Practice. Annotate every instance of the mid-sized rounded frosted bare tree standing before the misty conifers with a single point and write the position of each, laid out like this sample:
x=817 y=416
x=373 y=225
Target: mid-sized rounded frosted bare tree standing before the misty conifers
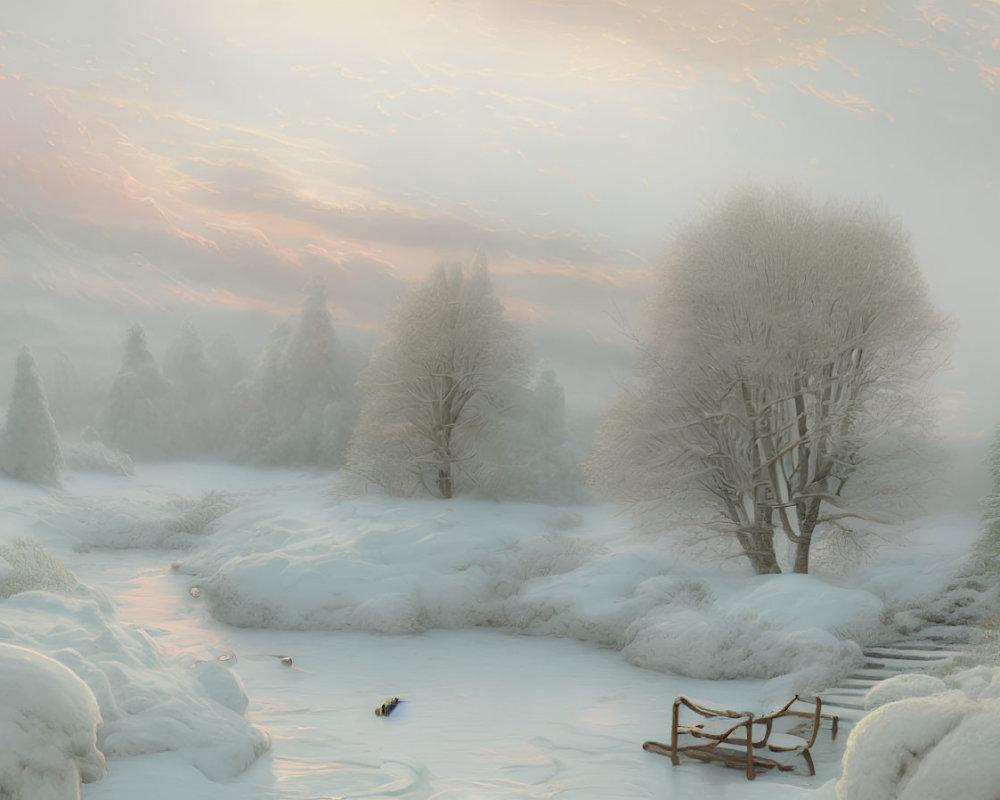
x=438 y=388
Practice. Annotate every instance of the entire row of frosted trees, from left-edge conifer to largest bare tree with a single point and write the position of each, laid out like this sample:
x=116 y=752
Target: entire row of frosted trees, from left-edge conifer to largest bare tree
x=778 y=391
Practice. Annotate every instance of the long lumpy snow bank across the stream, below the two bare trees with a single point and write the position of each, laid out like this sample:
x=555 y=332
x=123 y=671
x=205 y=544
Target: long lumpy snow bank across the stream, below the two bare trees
x=314 y=561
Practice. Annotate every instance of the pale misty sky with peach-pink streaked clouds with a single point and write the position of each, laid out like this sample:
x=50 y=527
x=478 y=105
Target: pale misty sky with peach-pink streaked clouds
x=170 y=161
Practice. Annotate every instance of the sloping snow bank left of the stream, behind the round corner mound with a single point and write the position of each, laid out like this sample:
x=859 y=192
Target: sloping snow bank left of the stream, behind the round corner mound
x=149 y=702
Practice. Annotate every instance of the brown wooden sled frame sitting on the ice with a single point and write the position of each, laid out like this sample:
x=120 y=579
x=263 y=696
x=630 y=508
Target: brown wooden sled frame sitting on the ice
x=740 y=739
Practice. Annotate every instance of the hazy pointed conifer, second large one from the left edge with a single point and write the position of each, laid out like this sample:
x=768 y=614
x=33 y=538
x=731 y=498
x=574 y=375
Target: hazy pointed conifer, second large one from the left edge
x=139 y=417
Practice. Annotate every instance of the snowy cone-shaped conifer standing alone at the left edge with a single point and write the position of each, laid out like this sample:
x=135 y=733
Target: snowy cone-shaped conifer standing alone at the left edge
x=29 y=446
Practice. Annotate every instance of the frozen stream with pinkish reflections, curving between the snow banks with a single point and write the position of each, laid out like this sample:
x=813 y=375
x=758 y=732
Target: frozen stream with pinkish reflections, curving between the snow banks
x=486 y=714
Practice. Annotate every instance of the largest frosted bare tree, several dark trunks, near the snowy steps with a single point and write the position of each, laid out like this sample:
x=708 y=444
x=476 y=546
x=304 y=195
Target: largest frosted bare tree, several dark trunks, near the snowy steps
x=784 y=354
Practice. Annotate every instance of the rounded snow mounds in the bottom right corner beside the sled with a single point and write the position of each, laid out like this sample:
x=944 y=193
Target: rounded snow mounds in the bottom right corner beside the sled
x=926 y=747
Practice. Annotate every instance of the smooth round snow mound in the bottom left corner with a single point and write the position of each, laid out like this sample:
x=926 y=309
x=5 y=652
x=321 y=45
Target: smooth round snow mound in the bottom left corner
x=48 y=726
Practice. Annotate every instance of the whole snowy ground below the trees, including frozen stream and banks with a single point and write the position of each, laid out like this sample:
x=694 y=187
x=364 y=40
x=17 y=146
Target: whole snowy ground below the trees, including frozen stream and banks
x=373 y=597
